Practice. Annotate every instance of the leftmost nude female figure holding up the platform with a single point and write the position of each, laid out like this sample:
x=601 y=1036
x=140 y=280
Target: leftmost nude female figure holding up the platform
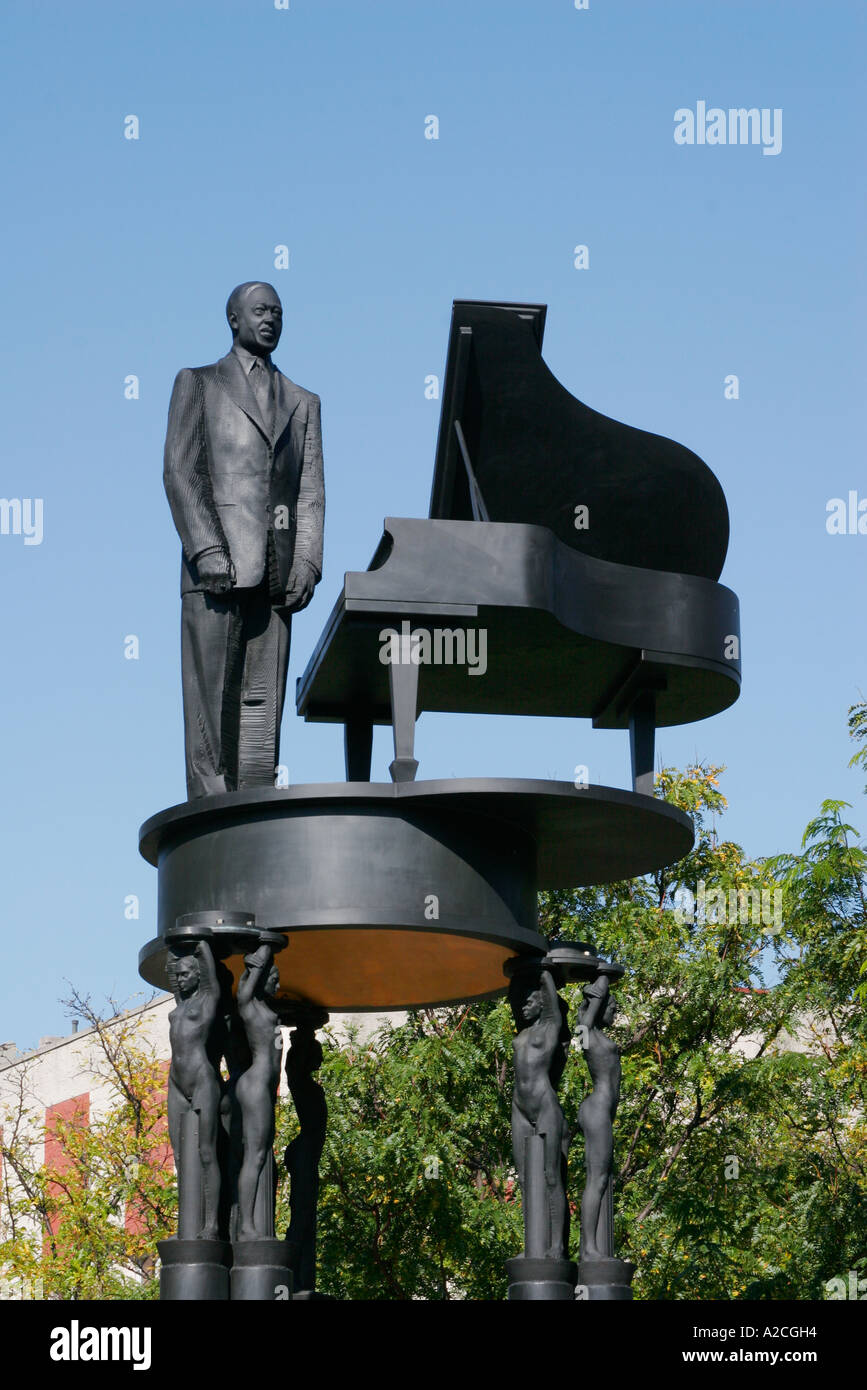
x=194 y=1081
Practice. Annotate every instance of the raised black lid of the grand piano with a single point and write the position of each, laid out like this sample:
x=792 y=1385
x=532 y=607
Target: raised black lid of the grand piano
x=538 y=454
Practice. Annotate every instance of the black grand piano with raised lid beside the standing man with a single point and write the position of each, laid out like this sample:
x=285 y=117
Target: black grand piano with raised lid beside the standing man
x=586 y=551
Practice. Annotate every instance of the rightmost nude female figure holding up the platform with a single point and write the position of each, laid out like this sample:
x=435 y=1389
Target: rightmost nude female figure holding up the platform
x=597 y=1117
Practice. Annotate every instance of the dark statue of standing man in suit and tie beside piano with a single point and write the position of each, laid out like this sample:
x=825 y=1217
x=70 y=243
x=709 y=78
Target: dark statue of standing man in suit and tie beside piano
x=244 y=477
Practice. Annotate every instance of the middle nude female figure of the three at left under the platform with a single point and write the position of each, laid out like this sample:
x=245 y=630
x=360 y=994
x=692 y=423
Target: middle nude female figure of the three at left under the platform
x=256 y=1089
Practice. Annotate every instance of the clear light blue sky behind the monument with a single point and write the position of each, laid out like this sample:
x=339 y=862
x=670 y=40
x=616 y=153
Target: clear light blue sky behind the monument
x=306 y=127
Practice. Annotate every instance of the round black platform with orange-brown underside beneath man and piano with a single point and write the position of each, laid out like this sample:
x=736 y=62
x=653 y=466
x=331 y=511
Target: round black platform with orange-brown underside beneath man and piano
x=399 y=896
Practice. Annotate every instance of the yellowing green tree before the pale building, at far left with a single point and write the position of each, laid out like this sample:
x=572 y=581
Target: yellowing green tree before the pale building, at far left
x=87 y=1225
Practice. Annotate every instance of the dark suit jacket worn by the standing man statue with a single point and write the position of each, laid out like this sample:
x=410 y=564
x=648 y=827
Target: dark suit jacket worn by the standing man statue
x=231 y=483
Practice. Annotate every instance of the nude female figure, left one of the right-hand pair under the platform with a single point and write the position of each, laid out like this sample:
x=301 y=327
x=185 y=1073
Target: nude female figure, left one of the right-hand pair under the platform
x=540 y=1052
